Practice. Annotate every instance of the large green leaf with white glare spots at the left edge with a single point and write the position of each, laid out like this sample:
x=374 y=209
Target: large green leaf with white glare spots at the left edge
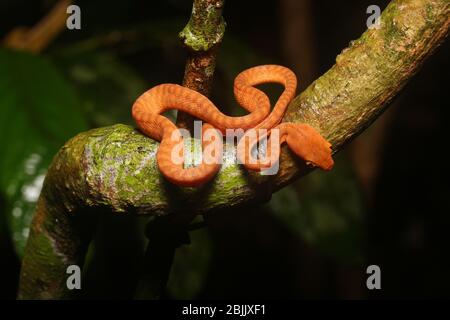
x=39 y=111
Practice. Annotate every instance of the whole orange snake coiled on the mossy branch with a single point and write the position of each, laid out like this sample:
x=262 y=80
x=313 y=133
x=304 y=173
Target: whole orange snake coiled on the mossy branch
x=302 y=139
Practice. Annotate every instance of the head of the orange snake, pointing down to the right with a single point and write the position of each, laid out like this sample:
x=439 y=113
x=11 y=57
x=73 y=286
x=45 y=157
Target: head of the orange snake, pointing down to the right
x=309 y=145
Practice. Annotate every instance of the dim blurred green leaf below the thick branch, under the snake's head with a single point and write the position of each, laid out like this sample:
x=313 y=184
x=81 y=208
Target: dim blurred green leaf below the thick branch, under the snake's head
x=326 y=210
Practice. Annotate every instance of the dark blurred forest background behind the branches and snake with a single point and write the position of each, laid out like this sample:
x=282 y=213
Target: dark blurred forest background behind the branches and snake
x=385 y=203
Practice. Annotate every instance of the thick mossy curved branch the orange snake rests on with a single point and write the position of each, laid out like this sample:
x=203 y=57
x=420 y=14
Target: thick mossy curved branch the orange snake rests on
x=114 y=168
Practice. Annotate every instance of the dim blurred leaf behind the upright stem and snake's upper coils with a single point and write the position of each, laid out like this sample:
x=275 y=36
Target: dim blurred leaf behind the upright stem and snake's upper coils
x=146 y=55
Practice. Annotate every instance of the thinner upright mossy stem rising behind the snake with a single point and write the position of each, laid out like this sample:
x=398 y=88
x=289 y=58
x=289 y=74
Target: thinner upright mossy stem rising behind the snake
x=201 y=36
